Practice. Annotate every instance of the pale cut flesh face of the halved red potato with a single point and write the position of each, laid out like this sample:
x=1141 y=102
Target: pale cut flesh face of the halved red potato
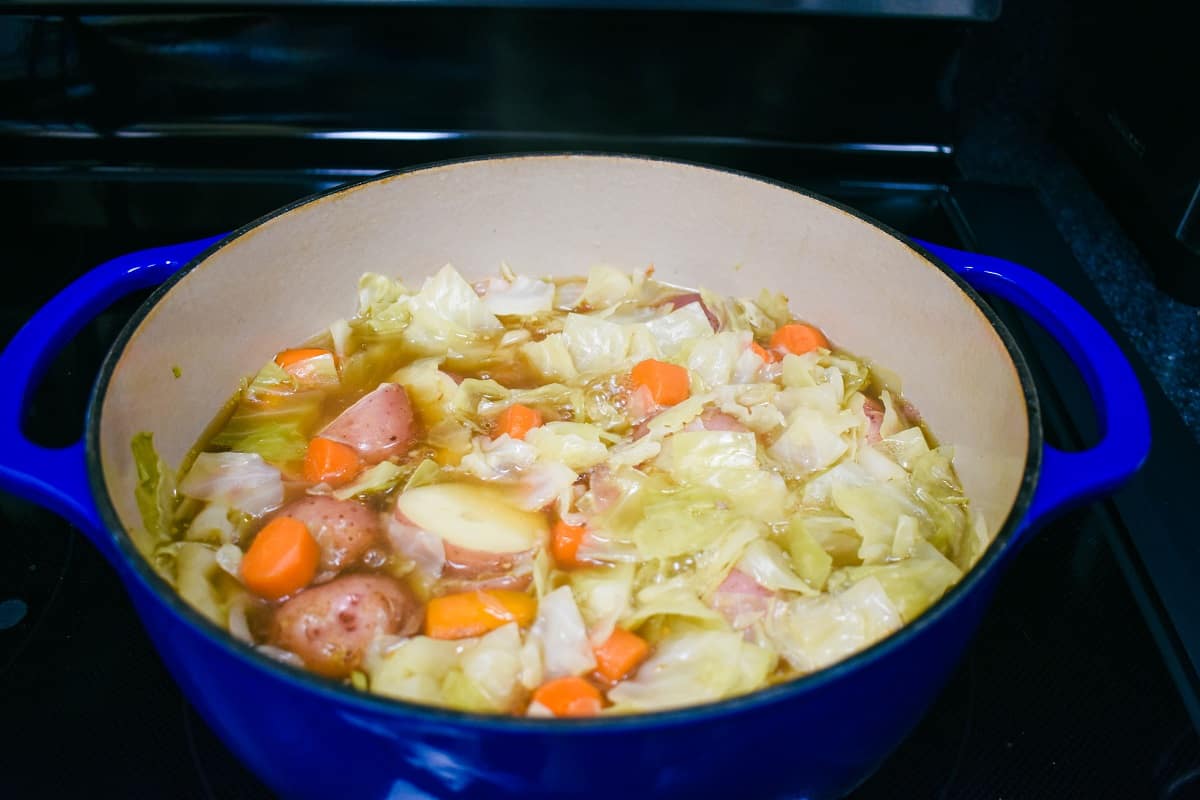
x=473 y=519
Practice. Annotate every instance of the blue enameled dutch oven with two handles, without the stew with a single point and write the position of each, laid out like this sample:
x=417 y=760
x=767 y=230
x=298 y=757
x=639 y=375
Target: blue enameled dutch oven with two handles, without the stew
x=225 y=303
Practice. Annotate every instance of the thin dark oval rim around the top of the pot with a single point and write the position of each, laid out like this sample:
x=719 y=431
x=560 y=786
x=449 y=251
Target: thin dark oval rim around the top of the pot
x=302 y=679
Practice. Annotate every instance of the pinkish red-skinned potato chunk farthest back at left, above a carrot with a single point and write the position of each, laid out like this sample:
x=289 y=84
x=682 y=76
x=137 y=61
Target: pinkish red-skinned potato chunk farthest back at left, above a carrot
x=380 y=426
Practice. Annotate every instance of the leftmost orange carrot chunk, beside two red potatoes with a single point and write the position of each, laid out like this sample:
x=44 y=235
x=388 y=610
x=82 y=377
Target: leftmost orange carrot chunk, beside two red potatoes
x=281 y=561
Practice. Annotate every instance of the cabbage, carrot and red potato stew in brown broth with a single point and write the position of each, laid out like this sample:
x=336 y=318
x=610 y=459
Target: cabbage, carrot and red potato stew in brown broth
x=565 y=498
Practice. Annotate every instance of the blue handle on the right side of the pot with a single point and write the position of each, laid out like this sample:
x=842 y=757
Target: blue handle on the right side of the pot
x=1070 y=479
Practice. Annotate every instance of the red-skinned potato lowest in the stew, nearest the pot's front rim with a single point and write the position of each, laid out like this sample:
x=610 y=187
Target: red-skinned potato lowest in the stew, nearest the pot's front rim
x=331 y=627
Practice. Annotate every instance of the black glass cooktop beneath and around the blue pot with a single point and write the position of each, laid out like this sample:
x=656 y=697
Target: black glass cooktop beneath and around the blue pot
x=1079 y=683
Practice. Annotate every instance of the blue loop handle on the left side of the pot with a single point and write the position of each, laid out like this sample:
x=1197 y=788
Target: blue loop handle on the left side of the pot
x=58 y=478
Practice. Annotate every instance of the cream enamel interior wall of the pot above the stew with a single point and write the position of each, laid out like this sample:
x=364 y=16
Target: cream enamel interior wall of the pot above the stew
x=560 y=215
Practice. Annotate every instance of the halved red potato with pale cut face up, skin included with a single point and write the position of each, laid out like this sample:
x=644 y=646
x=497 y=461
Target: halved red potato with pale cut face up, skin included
x=483 y=536
